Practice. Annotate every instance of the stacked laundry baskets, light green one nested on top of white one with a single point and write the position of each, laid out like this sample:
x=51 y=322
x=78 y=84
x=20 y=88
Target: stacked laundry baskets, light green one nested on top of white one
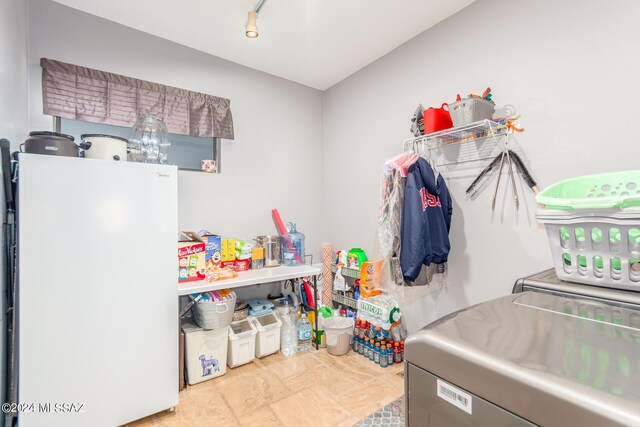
x=593 y=226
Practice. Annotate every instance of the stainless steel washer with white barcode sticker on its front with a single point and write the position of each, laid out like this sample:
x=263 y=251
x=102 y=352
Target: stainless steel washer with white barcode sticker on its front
x=551 y=354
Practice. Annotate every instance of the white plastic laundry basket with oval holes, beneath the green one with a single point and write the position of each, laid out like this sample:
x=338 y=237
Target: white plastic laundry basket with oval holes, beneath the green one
x=598 y=247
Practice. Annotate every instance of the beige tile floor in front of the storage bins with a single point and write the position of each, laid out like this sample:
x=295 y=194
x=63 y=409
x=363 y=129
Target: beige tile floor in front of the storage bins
x=313 y=388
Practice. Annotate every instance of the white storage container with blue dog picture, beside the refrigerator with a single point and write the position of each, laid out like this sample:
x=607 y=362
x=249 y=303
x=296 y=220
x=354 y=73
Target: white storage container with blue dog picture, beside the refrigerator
x=205 y=352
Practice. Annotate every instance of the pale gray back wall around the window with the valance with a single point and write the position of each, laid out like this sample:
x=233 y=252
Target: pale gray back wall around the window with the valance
x=276 y=158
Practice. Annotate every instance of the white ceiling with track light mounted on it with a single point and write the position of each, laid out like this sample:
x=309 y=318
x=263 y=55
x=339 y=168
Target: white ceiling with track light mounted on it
x=313 y=42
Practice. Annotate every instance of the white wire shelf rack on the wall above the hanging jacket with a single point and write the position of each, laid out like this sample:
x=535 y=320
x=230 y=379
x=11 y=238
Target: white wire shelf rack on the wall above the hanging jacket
x=474 y=142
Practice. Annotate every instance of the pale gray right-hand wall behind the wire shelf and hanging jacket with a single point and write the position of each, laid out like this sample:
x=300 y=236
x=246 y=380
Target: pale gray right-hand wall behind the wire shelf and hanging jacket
x=571 y=69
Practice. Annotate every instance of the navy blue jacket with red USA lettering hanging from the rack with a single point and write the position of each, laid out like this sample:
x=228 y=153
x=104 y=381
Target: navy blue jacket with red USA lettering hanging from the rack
x=426 y=220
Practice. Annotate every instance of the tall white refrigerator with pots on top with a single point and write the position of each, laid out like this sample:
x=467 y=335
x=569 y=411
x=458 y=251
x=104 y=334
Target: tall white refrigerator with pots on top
x=97 y=294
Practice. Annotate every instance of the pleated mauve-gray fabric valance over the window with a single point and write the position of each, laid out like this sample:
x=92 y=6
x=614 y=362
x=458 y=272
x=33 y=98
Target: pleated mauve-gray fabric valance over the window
x=82 y=93
